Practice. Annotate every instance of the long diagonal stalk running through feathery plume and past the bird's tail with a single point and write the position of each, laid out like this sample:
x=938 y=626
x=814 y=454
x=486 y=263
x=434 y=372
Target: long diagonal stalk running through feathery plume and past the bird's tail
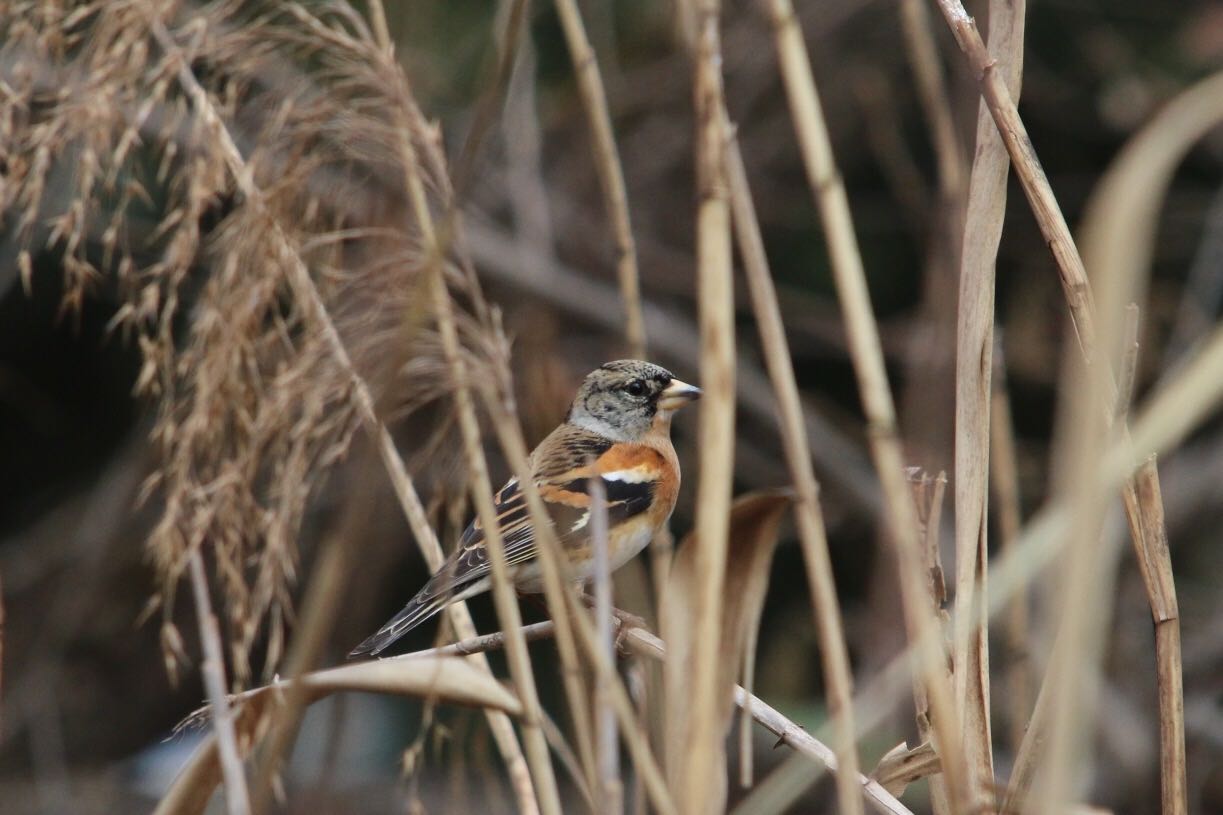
x=311 y=300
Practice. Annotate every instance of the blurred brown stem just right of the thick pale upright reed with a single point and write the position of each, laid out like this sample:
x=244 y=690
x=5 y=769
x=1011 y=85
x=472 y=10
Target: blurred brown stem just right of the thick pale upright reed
x=1005 y=482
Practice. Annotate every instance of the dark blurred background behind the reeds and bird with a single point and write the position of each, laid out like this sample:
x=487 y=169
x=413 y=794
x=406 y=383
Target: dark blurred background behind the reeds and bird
x=87 y=703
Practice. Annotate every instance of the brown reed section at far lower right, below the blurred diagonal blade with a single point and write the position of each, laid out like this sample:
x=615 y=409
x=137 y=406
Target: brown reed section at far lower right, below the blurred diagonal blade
x=1155 y=565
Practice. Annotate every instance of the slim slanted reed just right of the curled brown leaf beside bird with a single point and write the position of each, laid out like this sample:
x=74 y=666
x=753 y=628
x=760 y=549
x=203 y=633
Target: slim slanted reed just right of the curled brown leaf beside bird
x=809 y=518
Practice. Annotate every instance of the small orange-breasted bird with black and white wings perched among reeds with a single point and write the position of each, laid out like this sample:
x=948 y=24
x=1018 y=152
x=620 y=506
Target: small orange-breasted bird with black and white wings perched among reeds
x=619 y=430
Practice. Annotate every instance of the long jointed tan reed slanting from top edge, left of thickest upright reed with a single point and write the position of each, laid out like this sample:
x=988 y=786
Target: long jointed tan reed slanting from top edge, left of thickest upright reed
x=868 y=357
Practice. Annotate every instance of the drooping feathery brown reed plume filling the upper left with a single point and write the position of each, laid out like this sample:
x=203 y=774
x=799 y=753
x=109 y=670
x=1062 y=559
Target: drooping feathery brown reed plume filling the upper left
x=253 y=407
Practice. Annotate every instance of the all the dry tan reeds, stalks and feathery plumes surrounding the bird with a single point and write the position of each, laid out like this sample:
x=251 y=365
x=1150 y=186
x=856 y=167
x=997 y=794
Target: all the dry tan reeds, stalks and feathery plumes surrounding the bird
x=275 y=215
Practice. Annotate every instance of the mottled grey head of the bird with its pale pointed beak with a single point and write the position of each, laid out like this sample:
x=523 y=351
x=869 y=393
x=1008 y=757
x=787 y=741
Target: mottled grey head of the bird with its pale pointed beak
x=623 y=400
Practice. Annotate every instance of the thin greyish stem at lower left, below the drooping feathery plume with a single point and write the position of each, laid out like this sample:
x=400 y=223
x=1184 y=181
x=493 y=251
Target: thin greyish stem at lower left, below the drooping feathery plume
x=237 y=797
